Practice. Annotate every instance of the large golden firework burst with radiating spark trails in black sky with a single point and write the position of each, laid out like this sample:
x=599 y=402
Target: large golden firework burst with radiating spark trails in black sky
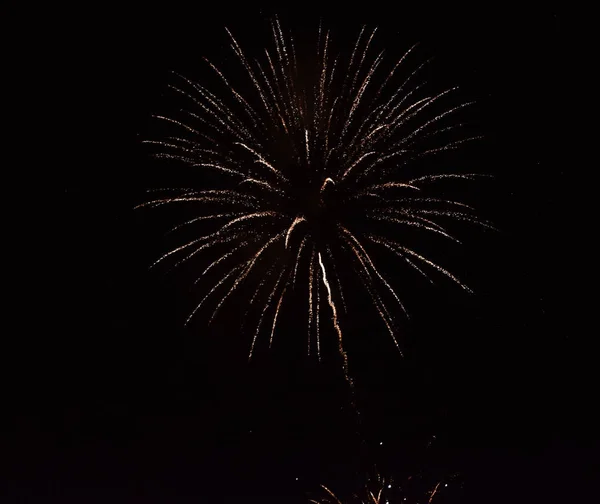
x=321 y=172
